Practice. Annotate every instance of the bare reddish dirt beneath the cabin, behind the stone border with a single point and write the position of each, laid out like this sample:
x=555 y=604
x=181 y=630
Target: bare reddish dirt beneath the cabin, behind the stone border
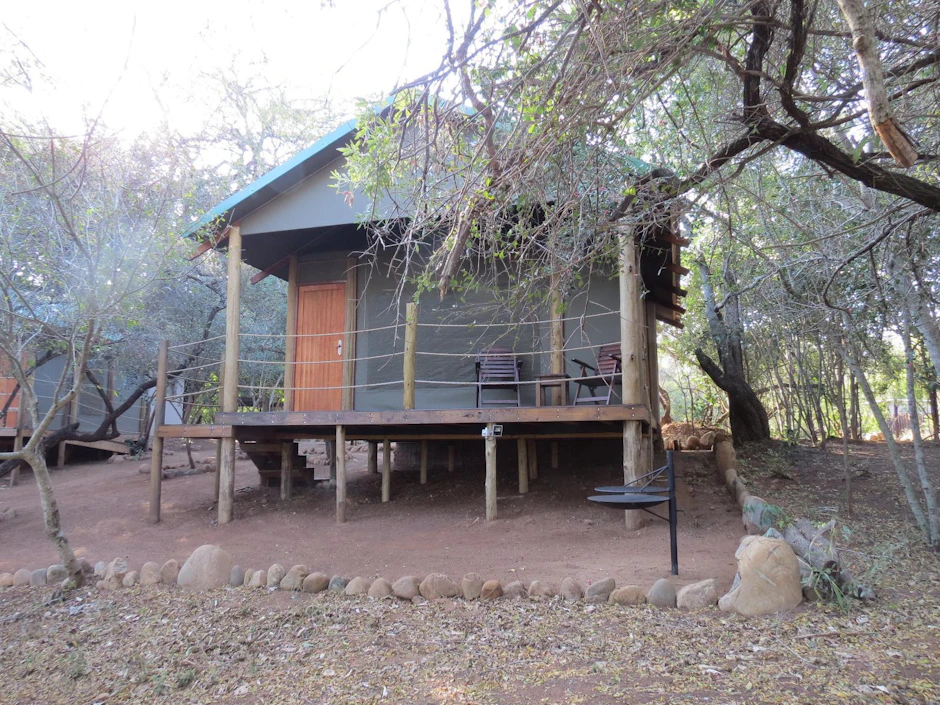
x=548 y=534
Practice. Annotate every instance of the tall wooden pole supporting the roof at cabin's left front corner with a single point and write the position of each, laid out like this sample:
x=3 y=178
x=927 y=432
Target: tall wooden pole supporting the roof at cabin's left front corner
x=230 y=390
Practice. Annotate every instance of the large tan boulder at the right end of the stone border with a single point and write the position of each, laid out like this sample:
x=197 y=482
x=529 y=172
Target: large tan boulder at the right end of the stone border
x=770 y=578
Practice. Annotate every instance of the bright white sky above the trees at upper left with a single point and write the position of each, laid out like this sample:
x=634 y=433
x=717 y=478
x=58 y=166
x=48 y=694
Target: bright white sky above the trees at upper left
x=137 y=63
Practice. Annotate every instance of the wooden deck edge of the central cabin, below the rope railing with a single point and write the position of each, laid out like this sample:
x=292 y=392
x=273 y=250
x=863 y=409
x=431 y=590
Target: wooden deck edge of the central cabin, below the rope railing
x=420 y=424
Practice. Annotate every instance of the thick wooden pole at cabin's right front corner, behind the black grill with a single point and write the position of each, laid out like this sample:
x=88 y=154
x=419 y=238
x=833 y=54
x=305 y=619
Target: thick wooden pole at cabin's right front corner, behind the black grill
x=631 y=382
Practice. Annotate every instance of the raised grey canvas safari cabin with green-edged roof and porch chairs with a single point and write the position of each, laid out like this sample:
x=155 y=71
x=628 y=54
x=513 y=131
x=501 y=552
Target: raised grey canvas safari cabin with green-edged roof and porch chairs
x=363 y=362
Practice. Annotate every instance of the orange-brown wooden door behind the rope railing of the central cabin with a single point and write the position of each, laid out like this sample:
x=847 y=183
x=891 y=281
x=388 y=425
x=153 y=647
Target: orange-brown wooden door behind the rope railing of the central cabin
x=321 y=312
